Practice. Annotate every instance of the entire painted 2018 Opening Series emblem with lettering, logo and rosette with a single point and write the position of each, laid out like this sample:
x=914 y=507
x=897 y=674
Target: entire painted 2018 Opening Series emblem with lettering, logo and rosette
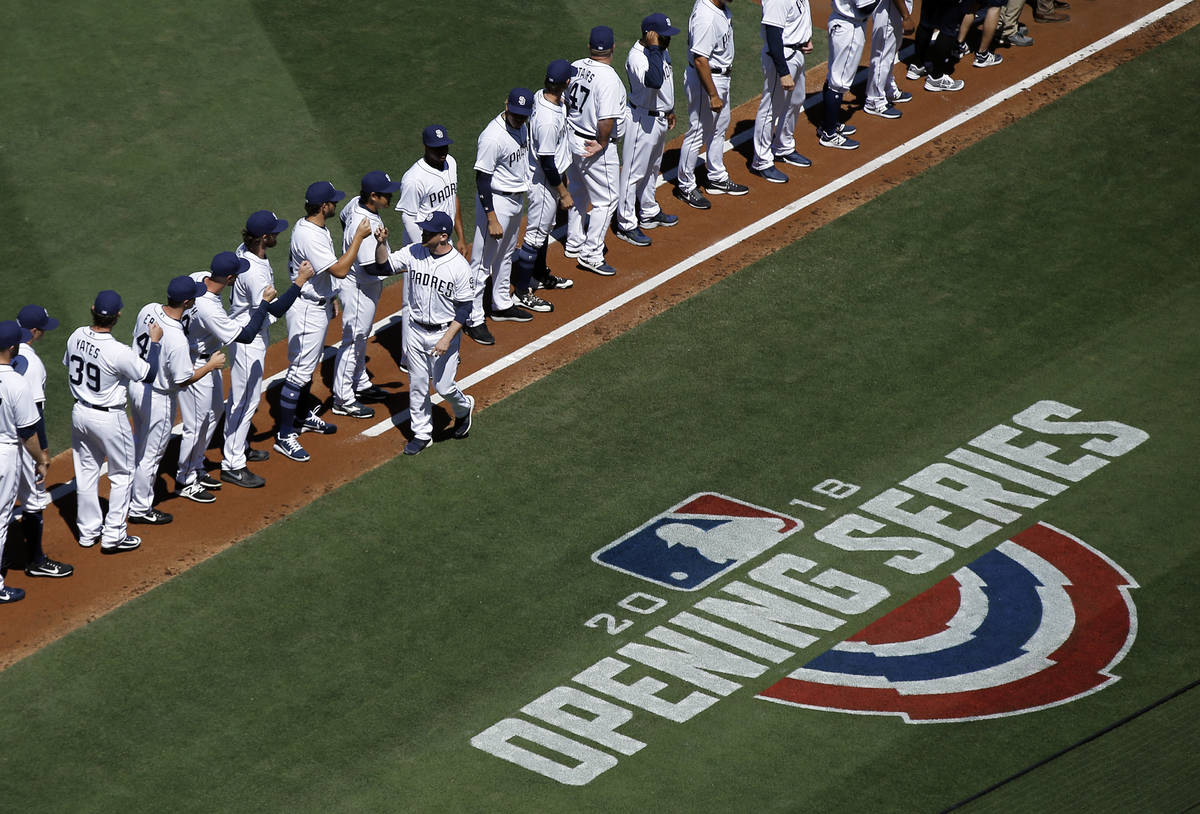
x=1001 y=636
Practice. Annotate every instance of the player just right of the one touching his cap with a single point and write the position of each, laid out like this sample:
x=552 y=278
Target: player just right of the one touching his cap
x=707 y=82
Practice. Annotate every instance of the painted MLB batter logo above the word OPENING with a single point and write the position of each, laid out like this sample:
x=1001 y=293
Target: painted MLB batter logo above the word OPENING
x=694 y=543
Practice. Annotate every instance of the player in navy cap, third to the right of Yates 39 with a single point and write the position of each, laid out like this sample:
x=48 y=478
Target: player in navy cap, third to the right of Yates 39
x=247 y=372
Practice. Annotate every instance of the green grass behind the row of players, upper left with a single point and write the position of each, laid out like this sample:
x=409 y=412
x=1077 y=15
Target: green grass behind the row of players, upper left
x=148 y=134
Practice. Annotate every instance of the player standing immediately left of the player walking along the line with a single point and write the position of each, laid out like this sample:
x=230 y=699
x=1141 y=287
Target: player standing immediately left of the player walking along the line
x=359 y=294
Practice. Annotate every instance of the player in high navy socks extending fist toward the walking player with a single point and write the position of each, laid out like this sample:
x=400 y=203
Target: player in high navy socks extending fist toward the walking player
x=311 y=250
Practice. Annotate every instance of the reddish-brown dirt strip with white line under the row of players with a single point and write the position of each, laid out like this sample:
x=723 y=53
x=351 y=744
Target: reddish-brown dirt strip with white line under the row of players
x=705 y=248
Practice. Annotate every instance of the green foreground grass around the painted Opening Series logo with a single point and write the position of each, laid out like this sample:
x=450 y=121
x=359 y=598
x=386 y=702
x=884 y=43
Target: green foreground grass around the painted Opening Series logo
x=345 y=659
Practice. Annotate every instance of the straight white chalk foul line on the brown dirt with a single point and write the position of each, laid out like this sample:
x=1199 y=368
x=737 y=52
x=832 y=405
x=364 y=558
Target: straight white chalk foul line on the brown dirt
x=794 y=208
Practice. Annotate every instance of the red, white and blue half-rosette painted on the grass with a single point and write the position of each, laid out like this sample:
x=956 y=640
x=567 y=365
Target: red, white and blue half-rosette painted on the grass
x=1040 y=621
